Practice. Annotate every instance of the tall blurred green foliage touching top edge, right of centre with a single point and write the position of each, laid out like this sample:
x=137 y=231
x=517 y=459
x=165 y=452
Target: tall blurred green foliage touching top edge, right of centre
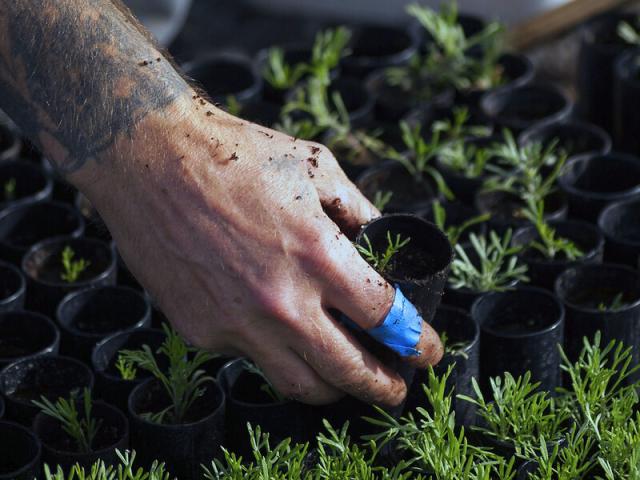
x=447 y=61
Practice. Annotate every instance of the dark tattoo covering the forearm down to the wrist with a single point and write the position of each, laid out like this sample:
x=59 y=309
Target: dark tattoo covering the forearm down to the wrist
x=76 y=74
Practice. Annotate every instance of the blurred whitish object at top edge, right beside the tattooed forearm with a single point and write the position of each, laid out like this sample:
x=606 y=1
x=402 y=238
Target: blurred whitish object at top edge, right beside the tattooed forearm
x=164 y=18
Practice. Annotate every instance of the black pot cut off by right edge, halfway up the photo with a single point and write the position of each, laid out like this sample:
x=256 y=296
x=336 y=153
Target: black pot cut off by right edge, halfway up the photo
x=620 y=223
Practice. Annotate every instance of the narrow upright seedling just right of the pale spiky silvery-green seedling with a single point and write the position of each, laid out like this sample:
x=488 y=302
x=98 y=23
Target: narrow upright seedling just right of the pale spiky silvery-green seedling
x=549 y=244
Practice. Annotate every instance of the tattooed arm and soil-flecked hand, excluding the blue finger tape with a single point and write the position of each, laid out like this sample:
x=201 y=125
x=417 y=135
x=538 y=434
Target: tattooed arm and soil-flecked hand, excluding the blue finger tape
x=221 y=220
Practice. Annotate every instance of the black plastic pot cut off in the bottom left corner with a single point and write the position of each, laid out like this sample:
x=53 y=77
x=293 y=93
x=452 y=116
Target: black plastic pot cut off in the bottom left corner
x=21 y=451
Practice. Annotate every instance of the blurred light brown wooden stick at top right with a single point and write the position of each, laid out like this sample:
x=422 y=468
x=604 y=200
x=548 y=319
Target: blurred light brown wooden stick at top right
x=553 y=22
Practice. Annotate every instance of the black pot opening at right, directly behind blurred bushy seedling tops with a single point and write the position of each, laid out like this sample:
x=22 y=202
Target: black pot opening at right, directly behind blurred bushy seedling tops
x=573 y=137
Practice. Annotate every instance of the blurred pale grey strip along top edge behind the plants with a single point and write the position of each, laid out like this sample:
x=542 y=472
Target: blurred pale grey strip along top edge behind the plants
x=388 y=11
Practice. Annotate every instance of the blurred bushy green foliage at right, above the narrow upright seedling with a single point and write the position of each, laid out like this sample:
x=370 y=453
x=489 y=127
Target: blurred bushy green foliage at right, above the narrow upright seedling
x=519 y=170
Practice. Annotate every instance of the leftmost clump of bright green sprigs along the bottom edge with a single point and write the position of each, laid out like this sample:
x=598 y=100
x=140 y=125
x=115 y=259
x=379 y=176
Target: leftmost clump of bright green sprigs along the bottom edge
x=125 y=470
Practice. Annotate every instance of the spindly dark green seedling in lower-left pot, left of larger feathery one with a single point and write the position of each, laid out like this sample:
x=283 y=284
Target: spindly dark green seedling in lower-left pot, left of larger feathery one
x=81 y=427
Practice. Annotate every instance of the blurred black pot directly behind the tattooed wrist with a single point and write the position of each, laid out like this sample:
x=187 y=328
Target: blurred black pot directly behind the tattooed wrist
x=225 y=74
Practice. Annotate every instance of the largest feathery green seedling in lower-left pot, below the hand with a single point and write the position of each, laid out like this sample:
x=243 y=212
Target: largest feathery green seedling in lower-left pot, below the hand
x=184 y=381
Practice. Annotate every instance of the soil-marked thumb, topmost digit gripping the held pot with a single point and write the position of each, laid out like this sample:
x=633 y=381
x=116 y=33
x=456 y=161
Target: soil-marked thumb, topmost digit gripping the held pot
x=340 y=198
